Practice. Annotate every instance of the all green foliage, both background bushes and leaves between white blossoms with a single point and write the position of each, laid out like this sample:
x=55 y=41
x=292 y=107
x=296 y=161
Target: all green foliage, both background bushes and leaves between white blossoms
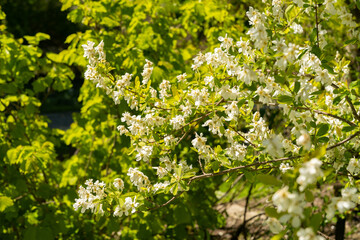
x=40 y=178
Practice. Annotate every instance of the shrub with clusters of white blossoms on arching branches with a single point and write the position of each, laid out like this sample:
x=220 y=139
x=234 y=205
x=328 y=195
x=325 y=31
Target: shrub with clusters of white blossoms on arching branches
x=216 y=107
